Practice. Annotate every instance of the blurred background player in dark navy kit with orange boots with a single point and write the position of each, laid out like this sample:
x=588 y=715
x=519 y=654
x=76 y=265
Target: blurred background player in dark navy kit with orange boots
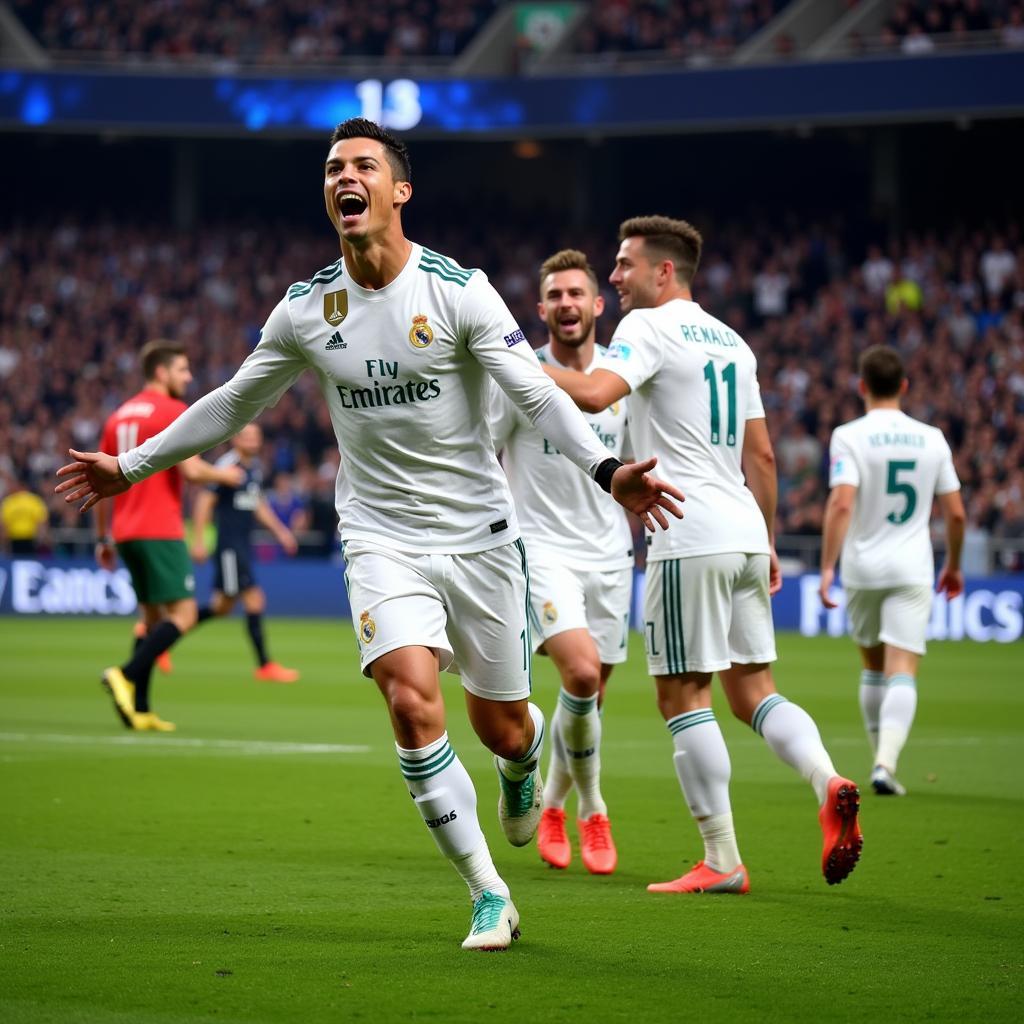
x=234 y=509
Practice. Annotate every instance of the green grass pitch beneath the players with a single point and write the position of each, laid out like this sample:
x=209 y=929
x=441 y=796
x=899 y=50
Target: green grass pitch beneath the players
x=208 y=877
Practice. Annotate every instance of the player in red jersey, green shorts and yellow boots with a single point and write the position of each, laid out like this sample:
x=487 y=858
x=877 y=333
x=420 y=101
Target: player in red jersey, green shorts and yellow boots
x=149 y=532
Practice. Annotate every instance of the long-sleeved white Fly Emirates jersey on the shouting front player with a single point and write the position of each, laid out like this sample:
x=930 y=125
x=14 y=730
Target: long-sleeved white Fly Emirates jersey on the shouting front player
x=405 y=371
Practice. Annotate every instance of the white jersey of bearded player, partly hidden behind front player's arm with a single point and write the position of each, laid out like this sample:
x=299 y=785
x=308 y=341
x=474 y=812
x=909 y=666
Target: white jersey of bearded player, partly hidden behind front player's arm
x=560 y=507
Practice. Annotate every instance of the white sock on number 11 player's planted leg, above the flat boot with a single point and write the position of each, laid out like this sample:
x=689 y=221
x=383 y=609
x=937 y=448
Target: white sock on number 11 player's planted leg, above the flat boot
x=704 y=770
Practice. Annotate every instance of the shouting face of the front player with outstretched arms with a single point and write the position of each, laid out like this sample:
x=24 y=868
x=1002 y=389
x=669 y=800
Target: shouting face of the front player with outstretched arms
x=360 y=190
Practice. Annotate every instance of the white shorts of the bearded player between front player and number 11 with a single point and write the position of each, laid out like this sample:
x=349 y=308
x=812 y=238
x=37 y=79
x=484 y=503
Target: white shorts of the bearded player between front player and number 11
x=566 y=599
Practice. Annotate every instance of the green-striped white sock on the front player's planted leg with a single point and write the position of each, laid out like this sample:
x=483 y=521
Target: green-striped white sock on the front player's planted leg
x=445 y=797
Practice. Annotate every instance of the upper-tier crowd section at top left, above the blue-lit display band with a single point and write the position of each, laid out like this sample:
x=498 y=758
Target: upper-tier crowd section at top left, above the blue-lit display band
x=254 y=31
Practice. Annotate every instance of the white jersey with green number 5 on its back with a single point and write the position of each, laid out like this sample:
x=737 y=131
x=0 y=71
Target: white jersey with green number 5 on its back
x=899 y=465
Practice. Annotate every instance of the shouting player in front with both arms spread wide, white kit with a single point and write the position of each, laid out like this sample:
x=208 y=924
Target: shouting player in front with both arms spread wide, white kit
x=403 y=342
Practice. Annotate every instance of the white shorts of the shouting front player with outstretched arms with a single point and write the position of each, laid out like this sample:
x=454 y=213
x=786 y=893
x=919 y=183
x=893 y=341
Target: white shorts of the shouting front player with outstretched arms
x=472 y=610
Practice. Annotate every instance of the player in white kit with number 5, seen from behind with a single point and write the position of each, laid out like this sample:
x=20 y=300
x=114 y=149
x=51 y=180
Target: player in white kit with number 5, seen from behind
x=885 y=471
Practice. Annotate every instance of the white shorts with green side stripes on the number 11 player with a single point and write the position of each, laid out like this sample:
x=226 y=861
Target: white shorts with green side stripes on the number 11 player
x=707 y=613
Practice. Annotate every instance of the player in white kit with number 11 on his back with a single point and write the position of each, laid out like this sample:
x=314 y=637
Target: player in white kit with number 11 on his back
x=695 y=400
